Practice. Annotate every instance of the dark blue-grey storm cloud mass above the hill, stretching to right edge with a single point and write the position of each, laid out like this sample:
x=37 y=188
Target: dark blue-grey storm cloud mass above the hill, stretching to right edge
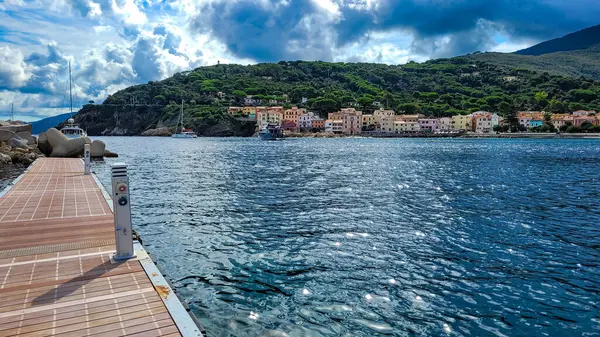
x=251 y=29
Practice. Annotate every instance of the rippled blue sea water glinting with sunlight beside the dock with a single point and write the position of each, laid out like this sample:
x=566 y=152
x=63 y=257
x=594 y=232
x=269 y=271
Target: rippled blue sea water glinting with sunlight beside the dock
x=365 y=237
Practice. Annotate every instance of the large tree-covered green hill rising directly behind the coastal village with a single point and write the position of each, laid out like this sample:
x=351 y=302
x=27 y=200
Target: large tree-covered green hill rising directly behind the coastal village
x=438 y=88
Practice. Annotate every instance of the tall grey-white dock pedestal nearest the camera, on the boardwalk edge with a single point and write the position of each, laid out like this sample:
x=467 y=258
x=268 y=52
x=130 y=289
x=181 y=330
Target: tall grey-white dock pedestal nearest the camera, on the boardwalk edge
x=122 y=212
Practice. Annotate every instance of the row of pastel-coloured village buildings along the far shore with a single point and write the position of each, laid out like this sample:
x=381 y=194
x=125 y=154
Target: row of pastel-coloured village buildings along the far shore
x=349 y=121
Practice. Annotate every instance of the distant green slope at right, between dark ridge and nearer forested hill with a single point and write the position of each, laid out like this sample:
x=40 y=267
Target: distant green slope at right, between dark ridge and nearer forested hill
x=576 y=63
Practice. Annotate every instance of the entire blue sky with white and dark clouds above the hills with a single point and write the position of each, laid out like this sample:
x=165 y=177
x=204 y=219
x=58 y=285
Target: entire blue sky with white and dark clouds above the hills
x=112 y=44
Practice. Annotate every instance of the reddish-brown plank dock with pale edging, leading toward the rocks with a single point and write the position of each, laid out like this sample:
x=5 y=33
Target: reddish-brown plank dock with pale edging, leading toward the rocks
x=57 y=235
